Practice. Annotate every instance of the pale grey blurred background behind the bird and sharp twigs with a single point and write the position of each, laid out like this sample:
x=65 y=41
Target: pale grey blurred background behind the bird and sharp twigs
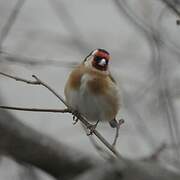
x=49 y=37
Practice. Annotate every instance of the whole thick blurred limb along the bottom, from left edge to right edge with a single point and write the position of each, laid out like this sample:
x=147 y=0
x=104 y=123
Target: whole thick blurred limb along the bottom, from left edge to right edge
x=29 y=146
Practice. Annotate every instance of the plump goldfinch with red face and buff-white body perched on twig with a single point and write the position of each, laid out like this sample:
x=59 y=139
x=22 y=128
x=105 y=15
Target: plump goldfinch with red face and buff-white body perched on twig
x=92 y=91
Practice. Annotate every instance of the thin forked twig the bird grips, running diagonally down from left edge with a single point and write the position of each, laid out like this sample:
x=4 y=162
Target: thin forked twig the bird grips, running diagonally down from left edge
x=79 y=116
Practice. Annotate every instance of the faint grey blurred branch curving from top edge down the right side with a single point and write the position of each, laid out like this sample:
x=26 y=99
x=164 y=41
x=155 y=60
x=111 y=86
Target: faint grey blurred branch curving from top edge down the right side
x=154 y=39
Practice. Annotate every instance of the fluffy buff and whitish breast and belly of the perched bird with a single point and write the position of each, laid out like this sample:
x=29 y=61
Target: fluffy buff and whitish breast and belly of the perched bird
x=96 y=97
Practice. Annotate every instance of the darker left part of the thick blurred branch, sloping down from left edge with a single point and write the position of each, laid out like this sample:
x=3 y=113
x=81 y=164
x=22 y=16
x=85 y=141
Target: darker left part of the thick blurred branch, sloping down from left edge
x=27 y=145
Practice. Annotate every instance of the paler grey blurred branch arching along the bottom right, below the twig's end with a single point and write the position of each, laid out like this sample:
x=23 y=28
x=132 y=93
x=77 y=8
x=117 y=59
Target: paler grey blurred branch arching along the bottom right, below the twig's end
x=134 y=170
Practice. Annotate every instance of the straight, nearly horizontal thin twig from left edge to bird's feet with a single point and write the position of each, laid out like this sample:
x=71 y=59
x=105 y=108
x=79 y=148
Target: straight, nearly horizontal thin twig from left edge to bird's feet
x=36 y=109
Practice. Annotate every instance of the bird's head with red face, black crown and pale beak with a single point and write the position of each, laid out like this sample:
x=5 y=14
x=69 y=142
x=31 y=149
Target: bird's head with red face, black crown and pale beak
x=98 y=59
